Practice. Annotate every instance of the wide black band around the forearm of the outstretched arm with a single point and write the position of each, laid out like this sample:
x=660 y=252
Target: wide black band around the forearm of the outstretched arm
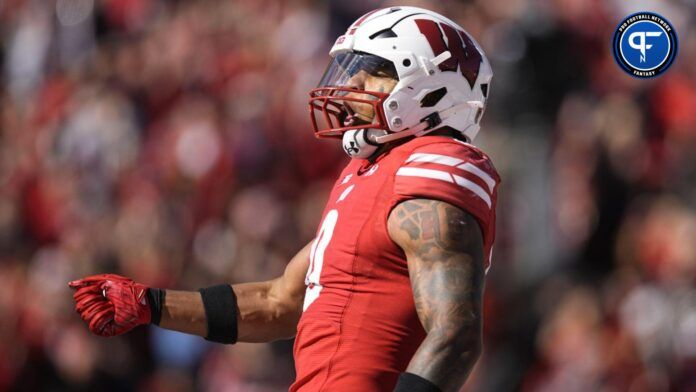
x=220 y=304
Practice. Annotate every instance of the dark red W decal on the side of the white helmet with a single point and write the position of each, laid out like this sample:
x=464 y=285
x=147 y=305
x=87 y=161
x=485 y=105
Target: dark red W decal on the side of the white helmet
x=464 y=53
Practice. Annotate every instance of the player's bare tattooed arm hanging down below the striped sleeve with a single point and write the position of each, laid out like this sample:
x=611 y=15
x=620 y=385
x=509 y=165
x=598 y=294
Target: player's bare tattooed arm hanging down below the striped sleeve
x=444 y=248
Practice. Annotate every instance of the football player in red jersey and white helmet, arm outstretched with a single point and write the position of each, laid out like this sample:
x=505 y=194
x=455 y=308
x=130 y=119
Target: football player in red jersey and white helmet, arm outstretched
x=388 y=294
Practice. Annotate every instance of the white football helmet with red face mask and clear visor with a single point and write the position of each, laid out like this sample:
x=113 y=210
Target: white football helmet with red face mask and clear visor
x=442 y=78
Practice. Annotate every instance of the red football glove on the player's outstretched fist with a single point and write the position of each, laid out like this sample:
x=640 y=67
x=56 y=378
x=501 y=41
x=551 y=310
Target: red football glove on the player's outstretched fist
x=111 y=304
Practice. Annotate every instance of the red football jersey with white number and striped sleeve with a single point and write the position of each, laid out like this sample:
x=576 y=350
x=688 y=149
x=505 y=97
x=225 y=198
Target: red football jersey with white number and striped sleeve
x=359 y=328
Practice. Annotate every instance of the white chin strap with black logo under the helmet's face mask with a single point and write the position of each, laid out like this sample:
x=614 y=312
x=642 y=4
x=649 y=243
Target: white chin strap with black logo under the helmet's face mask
x=362 y=143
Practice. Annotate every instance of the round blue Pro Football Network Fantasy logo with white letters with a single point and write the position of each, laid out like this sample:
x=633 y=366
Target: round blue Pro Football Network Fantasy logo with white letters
x=645 y=44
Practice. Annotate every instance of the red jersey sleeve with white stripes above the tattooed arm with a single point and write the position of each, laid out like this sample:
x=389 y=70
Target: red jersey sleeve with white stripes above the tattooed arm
x=453 y=172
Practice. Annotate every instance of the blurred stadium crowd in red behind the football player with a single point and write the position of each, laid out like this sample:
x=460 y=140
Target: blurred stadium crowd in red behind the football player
x=169 y=141
